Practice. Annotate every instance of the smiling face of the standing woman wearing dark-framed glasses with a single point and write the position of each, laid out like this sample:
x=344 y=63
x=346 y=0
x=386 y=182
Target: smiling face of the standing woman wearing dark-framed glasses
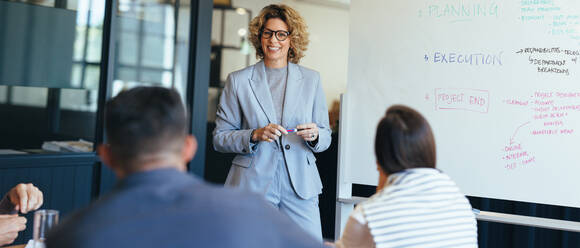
x=275 y=50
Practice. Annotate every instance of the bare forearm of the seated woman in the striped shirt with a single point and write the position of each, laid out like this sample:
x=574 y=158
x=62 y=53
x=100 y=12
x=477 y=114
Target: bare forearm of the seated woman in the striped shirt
x=356 y=232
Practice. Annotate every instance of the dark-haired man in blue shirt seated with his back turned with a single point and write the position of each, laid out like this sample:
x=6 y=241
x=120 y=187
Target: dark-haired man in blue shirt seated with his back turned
x=155 y=203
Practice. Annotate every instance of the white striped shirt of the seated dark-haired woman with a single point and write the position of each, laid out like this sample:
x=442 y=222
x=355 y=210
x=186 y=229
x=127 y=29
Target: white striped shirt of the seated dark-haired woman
x=420 y=207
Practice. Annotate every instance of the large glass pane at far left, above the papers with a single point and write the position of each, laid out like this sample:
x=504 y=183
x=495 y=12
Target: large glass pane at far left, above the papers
x=49 y=72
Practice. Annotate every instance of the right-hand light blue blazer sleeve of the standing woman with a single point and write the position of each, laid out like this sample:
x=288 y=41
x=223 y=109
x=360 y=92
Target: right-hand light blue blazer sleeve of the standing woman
x=320 y=117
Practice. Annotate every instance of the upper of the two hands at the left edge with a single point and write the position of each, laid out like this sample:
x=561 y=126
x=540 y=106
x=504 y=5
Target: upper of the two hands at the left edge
x=25 y=197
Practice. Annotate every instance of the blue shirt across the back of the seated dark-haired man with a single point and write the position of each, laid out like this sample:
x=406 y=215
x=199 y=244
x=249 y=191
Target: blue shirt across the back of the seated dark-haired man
x=212 y=210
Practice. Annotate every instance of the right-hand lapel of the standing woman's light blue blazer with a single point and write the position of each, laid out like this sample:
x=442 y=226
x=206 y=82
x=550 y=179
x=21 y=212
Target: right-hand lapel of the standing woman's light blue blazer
x=293 y=92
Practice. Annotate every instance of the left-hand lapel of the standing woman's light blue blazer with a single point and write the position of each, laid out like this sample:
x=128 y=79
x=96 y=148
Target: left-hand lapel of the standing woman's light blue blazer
x=261 y=90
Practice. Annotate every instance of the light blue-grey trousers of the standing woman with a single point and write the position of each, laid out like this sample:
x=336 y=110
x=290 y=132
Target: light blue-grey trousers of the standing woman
x=303 y=212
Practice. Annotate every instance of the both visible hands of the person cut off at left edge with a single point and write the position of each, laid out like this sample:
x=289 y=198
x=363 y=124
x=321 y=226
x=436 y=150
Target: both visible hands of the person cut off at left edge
x=22 y=198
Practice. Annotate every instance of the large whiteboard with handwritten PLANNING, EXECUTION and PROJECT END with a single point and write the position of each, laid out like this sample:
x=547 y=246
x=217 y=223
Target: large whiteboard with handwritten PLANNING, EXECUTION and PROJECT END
x=499 y=82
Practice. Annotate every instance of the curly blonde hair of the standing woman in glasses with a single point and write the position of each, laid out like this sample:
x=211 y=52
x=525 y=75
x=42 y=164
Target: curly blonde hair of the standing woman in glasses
x=296 y=27
